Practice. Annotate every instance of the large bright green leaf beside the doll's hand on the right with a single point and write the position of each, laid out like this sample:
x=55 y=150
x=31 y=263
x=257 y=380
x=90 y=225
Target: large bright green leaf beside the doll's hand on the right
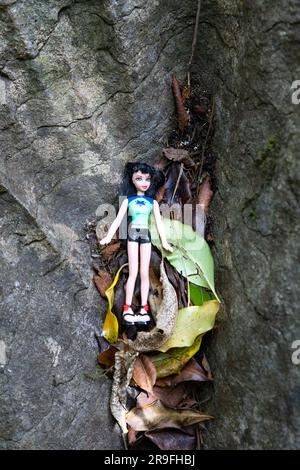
x=191 y=256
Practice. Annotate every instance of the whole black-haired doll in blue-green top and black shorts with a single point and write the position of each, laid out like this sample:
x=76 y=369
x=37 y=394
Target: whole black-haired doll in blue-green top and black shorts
x=140 y=184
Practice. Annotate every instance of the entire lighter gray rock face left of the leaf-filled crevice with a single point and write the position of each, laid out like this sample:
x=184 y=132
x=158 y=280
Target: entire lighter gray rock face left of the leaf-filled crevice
x=84 y=87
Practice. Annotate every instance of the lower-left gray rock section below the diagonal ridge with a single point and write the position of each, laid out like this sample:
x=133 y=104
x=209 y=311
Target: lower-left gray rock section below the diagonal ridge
x=52 y=395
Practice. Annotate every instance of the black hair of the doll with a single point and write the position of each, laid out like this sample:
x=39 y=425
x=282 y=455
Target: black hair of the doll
x=157 y=179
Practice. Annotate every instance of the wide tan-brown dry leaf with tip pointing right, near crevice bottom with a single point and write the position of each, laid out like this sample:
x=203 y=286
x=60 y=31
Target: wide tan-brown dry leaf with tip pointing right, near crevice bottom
x=158 y=416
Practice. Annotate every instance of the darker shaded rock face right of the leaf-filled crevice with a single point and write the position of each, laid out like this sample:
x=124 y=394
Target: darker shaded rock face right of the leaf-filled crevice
x=251 y=54
